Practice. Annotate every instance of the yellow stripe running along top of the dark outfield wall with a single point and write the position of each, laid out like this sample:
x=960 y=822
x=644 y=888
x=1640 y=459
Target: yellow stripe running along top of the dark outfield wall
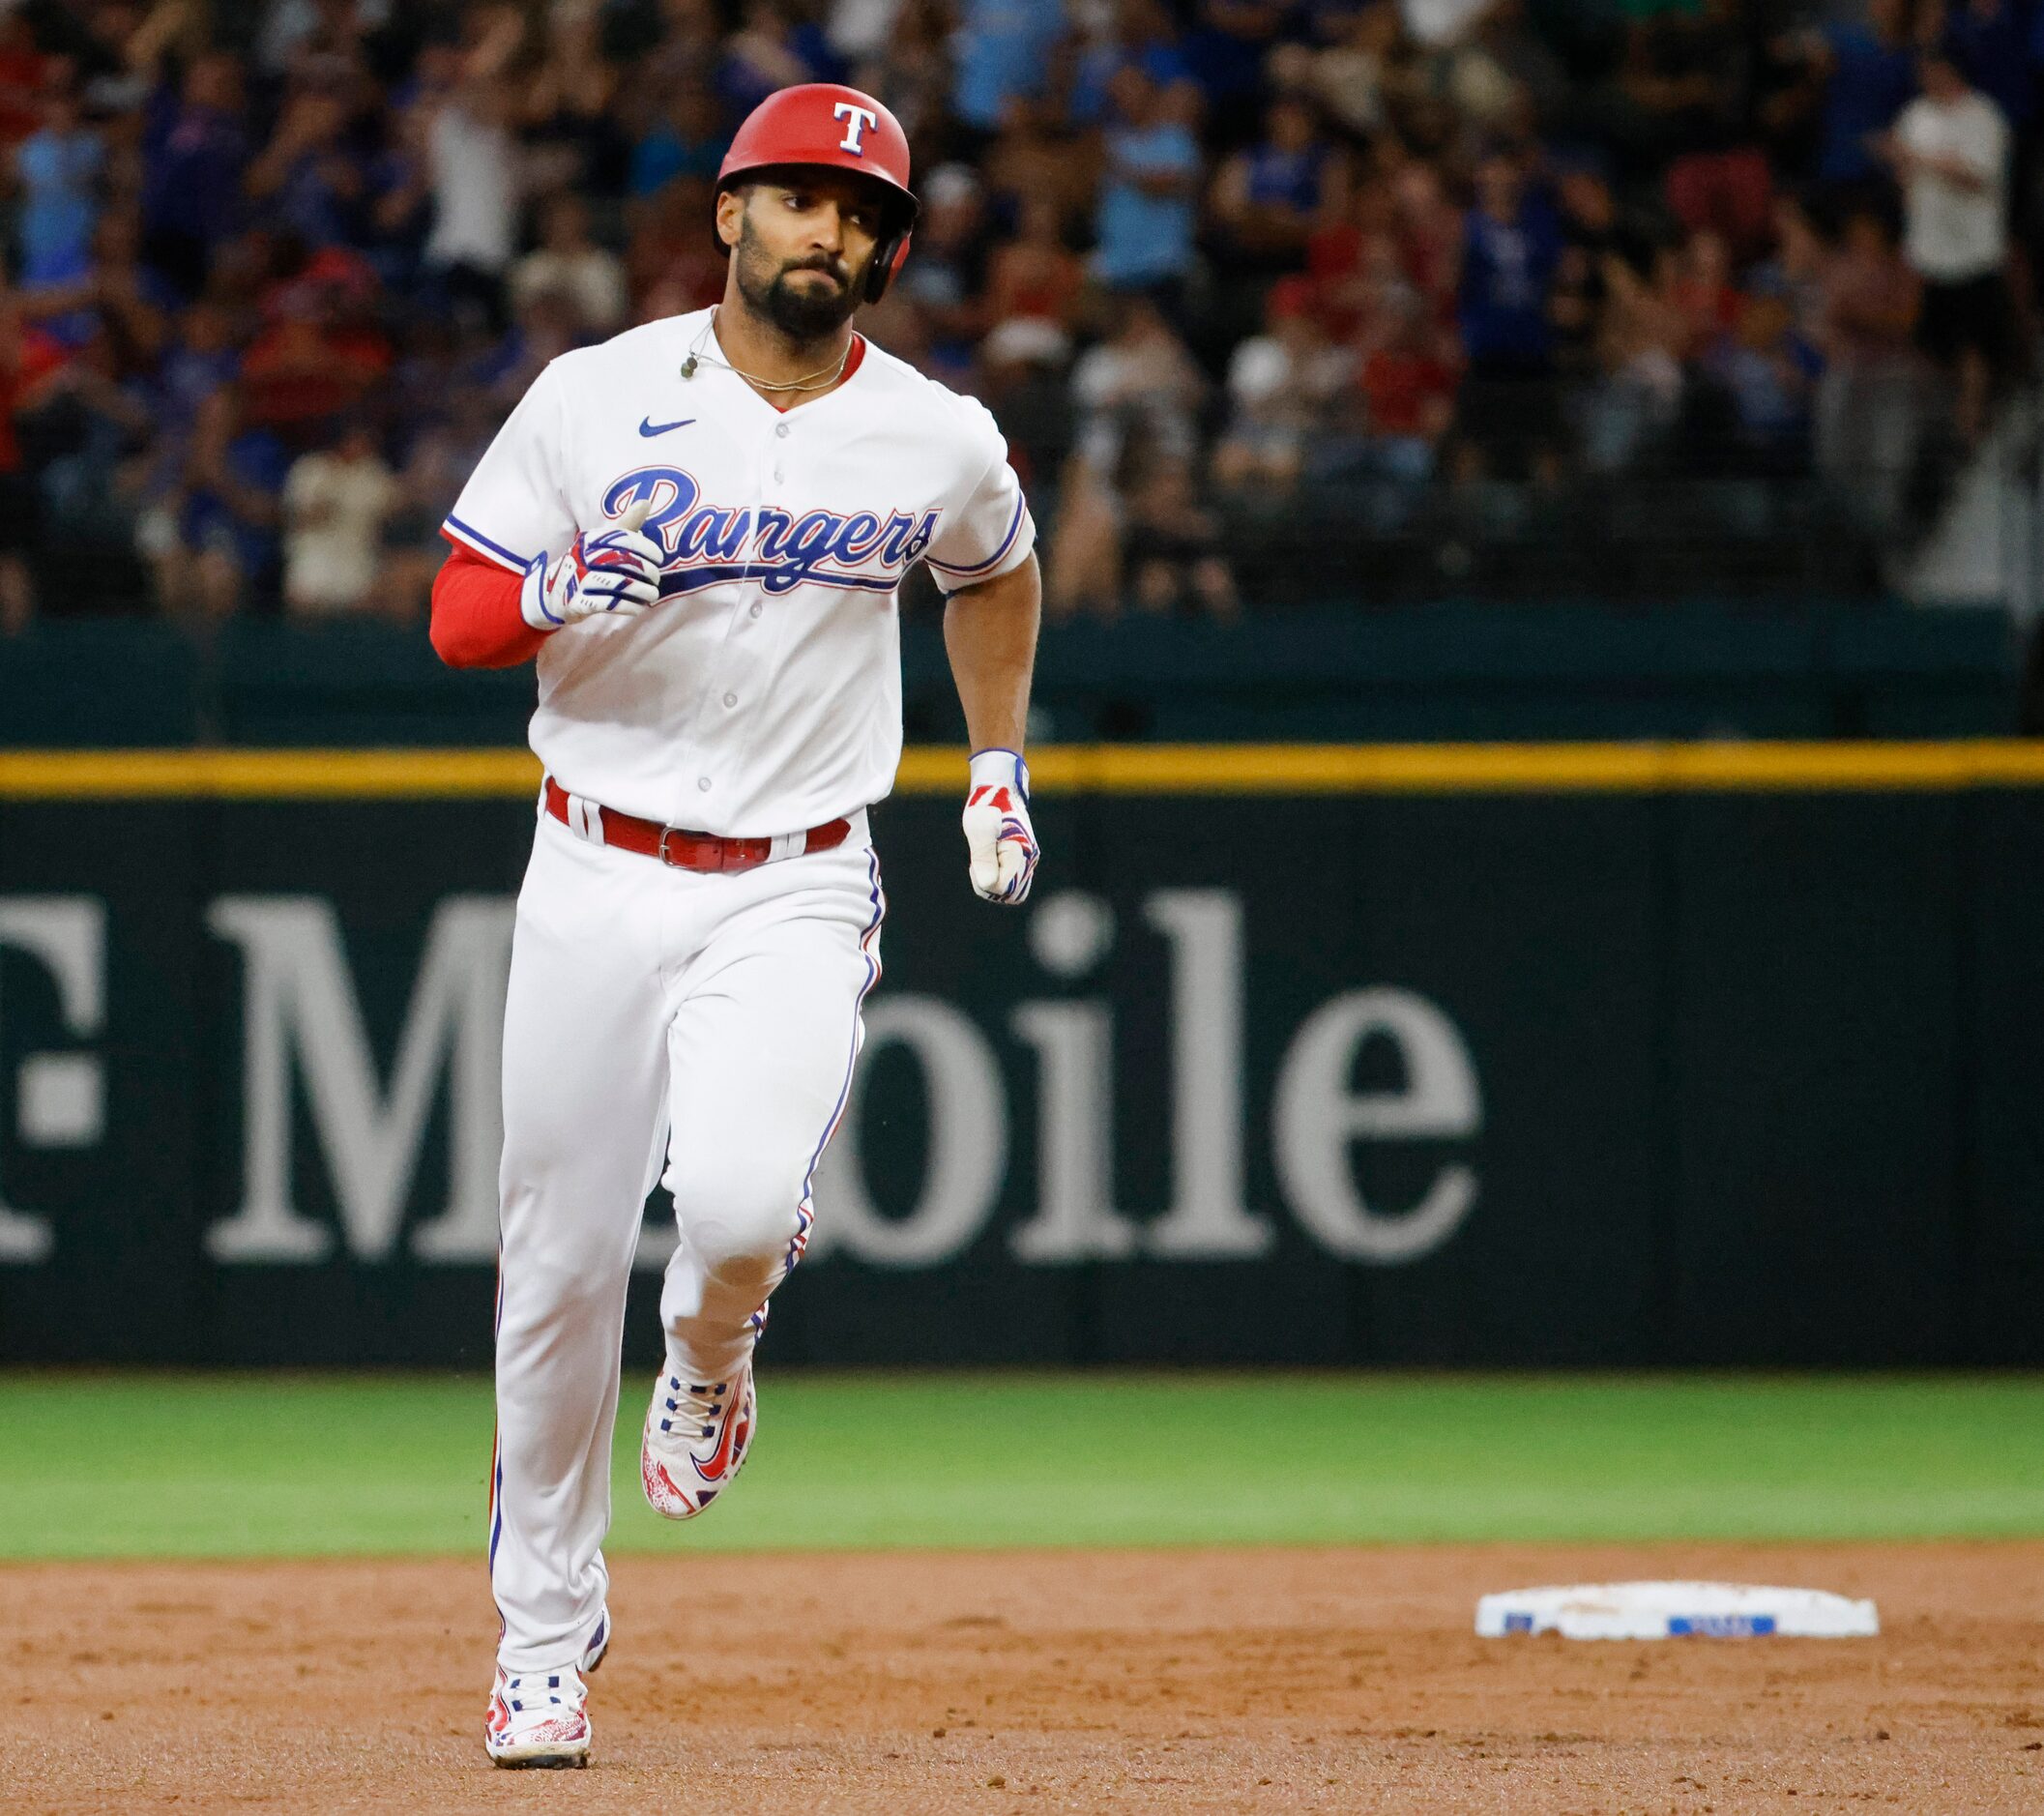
x=1223 y=770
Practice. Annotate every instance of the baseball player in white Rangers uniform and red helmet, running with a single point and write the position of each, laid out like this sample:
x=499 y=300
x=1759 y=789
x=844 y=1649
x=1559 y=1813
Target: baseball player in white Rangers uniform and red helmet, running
x=700 y=531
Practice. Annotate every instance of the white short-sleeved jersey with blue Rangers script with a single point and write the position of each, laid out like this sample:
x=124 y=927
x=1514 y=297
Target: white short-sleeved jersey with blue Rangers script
x=763 y=694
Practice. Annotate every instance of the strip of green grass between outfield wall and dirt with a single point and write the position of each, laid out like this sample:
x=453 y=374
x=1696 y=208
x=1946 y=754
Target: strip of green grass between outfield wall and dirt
x=291 y=1465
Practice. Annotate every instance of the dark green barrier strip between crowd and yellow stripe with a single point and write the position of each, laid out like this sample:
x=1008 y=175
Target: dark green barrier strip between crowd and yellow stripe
x=1338 y=672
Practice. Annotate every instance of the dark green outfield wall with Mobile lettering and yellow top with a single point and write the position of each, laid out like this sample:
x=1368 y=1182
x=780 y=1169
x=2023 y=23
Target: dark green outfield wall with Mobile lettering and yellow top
x=1317 y=1054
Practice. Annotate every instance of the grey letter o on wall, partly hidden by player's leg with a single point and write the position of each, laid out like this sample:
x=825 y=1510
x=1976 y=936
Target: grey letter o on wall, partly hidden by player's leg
x=968 y=1144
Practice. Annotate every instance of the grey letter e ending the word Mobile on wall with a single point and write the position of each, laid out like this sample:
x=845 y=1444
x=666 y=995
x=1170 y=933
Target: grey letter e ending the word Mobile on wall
x=1317 y=1116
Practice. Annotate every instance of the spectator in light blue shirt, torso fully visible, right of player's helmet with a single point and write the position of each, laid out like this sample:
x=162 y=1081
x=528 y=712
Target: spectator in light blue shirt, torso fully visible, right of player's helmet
x=1146 y=218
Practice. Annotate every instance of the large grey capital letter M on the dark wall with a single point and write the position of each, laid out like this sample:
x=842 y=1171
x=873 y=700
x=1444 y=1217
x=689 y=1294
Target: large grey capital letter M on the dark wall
x=301 y=1019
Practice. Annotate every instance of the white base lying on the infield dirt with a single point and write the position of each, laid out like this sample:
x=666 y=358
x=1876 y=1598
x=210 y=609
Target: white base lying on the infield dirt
x=1675 y=1610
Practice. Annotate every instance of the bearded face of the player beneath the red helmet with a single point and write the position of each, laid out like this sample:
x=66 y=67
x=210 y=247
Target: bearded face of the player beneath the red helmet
x=804 y=248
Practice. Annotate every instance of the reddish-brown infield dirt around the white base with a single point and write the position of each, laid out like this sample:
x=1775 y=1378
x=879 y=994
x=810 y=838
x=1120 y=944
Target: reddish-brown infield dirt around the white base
x=1025 y=1682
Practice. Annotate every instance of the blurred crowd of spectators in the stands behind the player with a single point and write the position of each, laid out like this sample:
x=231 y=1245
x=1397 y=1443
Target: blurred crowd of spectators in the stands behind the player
x=1234 y=275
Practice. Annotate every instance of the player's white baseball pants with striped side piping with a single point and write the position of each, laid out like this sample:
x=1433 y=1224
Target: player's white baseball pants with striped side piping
x=655 y=1015
